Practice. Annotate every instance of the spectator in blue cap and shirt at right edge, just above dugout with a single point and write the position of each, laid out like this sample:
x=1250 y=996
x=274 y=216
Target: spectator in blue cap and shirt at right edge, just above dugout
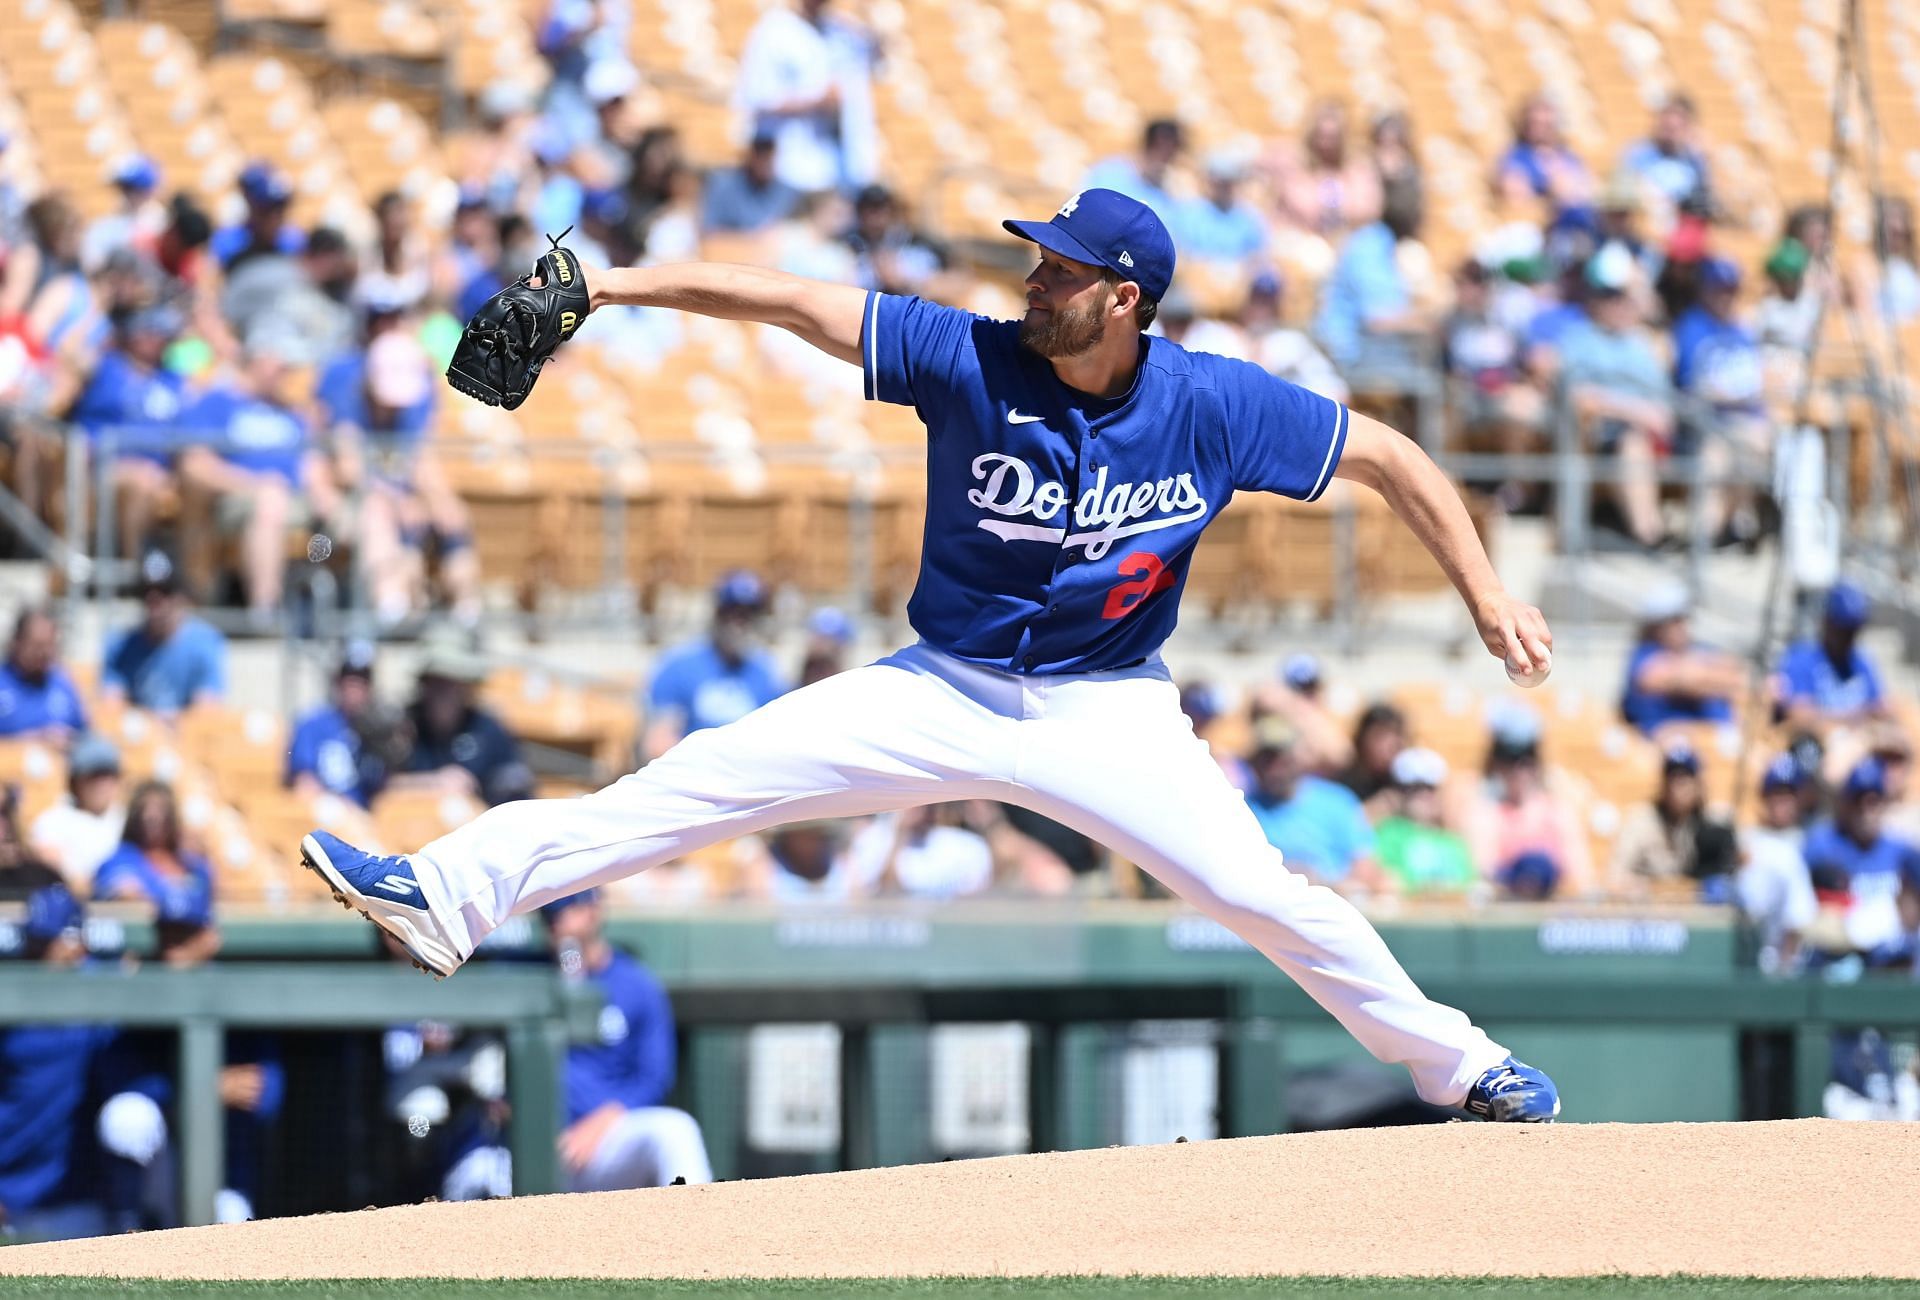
x=1865 y=880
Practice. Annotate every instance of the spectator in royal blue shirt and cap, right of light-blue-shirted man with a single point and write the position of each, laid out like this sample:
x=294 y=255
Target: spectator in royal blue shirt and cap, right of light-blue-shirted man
x=1719 y=362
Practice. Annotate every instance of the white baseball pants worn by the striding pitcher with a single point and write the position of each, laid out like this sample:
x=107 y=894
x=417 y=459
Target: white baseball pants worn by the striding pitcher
x=1109 y=754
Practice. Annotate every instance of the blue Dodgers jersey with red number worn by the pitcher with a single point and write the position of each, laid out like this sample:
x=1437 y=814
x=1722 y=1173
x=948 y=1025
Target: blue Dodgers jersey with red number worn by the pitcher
x=1061 y=527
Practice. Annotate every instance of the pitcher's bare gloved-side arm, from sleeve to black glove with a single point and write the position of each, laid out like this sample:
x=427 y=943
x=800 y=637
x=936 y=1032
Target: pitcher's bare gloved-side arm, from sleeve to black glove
x=827 y=316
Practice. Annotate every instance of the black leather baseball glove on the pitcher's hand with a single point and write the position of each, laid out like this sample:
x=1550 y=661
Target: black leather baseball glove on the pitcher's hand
x=517 y=329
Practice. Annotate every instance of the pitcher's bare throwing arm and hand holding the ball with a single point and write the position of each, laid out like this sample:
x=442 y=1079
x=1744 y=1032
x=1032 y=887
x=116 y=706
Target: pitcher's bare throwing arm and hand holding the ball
x=1395 y=466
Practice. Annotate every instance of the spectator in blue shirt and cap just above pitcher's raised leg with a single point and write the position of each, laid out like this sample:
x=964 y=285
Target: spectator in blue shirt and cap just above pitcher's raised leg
x=719 y=679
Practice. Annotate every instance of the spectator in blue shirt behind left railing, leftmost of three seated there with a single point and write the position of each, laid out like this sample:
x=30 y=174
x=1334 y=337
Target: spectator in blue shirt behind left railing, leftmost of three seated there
x=133 y=395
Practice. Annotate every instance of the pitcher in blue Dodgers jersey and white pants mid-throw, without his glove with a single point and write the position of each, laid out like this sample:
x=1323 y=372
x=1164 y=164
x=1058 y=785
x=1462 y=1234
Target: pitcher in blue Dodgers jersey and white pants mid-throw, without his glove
x=1072 y=466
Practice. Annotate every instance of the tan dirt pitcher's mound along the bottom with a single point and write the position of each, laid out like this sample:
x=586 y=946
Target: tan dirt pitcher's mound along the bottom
x=1800 y=1199
